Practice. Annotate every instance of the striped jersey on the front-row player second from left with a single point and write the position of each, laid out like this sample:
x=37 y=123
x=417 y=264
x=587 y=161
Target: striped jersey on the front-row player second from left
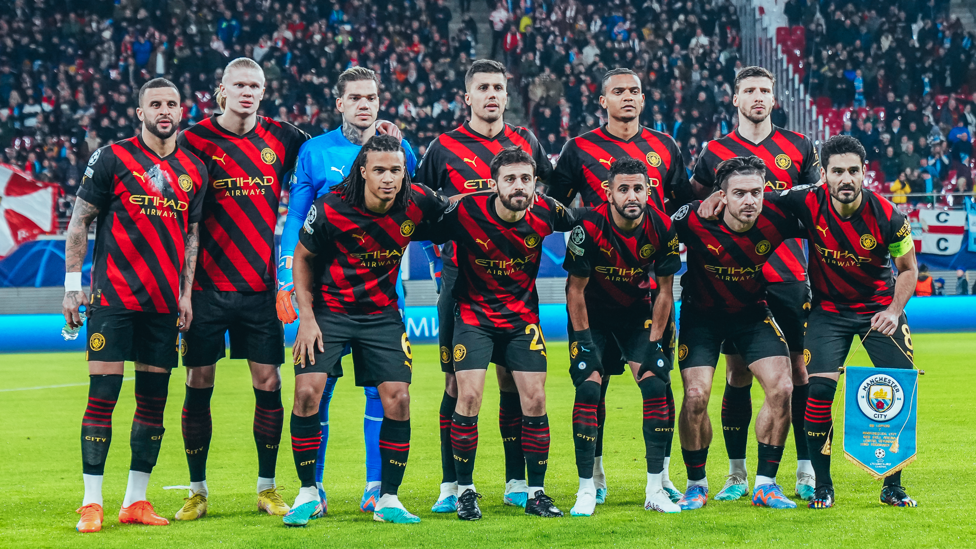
x=498 y=261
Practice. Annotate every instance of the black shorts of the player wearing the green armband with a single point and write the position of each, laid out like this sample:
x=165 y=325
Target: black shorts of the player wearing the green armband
x=830 y=335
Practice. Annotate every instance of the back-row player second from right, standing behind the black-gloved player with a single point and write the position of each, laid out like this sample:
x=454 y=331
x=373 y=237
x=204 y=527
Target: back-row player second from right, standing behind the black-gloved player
x=584 y=168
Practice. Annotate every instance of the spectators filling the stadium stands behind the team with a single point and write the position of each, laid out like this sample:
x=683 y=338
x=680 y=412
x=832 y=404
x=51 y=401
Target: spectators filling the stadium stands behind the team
x=68 y=71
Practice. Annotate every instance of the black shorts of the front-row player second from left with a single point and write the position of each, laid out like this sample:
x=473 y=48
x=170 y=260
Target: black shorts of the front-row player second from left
x=520 y=349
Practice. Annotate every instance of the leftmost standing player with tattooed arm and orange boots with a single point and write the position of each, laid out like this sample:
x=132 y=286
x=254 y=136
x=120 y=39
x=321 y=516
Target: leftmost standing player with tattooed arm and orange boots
x=147 y=195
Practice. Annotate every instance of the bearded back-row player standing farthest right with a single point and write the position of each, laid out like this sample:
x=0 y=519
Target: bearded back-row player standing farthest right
x=790 y=159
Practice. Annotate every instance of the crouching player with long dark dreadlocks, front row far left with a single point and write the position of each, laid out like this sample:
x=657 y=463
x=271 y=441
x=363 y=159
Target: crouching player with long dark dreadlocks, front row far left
x=351 y=245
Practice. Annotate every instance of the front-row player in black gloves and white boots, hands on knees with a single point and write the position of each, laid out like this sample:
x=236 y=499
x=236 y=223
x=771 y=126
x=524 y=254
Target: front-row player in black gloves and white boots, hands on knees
x=617 y=245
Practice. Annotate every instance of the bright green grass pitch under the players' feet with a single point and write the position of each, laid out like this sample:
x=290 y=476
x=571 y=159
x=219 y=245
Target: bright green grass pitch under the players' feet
x=41 y=470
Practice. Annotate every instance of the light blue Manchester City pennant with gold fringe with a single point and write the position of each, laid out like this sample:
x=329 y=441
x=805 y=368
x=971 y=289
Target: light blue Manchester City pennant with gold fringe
x=880 y=419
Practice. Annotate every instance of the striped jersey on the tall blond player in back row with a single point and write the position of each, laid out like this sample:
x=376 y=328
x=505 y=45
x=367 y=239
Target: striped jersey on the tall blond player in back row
x=237 y=249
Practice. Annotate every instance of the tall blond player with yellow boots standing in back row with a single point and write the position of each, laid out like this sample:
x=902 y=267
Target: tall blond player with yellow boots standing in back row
x=247 y=157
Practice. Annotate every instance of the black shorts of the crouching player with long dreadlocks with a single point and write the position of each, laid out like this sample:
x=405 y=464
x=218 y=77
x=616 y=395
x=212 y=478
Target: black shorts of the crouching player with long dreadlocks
x=380 y=348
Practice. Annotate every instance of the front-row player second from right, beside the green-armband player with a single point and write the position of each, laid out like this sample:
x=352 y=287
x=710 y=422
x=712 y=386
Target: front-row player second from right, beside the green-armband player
x=723 y=298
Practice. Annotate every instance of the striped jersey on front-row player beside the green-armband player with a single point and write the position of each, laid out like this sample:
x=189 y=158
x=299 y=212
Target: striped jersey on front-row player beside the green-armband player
x=725 y=267
